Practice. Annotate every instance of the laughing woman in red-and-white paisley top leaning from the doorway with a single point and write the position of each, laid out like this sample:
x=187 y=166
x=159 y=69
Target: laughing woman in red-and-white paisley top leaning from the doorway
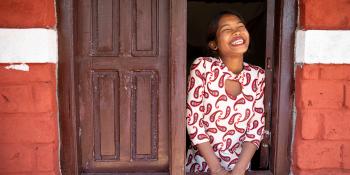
x=225 y=129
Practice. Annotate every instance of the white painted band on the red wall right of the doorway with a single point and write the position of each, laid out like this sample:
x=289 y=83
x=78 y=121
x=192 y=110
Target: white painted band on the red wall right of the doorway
x=322 y=46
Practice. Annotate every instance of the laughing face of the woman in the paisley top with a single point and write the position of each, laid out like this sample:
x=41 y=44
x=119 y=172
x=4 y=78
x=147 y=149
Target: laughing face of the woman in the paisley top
x=232 y=38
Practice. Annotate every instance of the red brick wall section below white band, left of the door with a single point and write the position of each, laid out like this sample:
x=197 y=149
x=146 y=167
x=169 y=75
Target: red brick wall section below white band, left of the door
x=28 y=120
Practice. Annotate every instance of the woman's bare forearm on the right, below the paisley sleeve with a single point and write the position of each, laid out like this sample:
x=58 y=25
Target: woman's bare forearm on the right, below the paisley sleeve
x=248 y=150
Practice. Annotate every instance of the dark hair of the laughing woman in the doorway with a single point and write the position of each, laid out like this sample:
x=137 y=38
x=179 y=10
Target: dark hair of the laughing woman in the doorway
x=214 y=24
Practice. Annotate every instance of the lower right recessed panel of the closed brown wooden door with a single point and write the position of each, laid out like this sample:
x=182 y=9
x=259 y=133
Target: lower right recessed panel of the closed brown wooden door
x=144 y=123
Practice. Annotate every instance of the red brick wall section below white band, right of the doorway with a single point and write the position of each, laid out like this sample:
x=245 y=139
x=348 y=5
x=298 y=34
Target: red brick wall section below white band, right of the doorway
x=322 y=139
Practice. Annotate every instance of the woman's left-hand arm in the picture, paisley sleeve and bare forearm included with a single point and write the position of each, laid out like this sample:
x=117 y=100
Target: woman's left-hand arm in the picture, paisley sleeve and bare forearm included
x=194 y=116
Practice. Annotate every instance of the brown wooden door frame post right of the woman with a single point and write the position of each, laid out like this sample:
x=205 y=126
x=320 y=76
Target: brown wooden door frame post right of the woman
x=283 y=87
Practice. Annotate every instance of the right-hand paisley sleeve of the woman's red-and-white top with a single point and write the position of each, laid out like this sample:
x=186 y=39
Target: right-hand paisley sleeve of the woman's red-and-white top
x=256 y=125
